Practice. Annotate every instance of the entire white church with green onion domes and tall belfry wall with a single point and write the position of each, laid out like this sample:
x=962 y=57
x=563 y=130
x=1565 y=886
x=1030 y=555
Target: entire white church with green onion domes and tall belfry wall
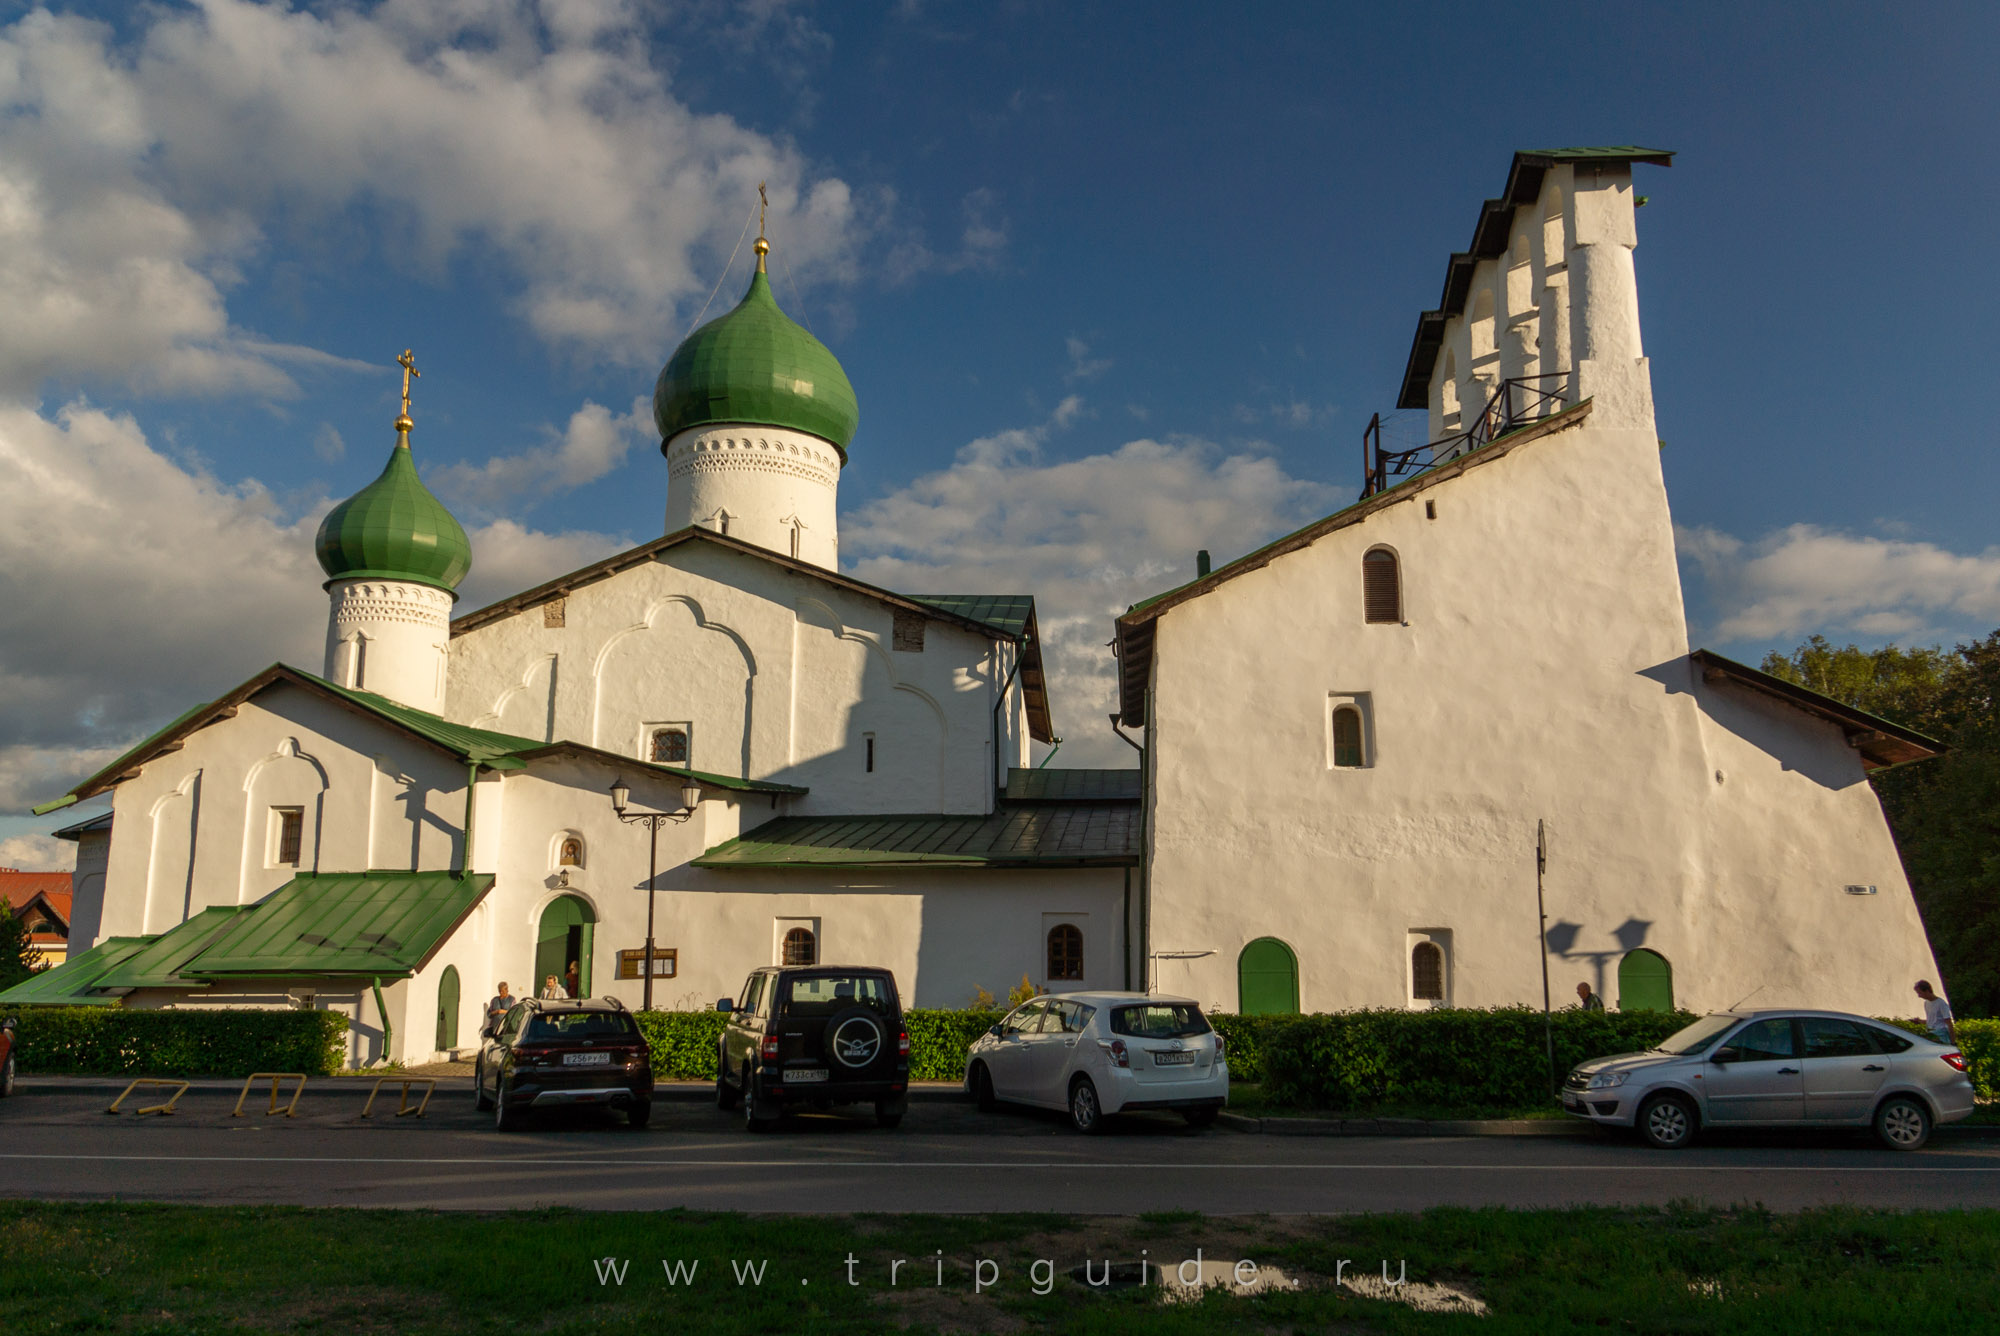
x=1351 y=737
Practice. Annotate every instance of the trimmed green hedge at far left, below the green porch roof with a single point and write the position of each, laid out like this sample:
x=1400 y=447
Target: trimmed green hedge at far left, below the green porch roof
x=177 y=1043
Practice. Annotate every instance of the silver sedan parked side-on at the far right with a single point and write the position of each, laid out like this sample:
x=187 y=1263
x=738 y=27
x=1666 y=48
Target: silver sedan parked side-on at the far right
x=1777 y=1069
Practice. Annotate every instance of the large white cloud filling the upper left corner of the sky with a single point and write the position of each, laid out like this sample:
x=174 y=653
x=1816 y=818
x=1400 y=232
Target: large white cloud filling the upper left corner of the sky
x=137 y=181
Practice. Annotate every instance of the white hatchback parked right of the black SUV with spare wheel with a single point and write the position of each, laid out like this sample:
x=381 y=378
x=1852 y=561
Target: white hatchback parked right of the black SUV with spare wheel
x=1103 y=1053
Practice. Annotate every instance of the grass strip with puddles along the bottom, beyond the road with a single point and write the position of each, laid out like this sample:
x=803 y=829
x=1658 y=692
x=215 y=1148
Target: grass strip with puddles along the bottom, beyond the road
x=141 y=1271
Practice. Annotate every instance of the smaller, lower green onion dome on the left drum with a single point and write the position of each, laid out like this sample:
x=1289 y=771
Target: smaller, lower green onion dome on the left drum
x=395 y=531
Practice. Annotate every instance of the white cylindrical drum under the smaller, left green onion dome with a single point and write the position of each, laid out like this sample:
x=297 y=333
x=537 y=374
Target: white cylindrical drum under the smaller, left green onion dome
x=389 y=637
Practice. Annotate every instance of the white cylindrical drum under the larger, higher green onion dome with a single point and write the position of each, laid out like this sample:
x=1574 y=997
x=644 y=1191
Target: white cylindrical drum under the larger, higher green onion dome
x=765 y=485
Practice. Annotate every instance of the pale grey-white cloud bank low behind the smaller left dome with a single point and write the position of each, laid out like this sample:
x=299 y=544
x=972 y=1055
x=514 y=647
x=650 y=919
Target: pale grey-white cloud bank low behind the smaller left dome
x=137 y=587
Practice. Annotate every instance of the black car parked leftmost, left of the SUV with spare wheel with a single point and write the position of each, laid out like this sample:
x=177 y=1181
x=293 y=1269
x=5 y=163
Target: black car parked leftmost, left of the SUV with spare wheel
x=563 y=1055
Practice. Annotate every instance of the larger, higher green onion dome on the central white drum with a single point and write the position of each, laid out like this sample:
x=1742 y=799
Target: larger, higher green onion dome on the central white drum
x=755 y=365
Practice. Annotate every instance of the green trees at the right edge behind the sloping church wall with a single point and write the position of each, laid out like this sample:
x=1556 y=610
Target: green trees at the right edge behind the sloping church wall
x=1945 y=811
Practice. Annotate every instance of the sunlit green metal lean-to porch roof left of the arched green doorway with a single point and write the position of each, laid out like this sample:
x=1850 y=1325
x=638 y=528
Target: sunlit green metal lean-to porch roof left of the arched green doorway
x=343 y=925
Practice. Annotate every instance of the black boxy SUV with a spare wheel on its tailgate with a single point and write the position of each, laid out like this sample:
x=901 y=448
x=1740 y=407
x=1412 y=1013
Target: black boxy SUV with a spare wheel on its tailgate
x=813 y=1039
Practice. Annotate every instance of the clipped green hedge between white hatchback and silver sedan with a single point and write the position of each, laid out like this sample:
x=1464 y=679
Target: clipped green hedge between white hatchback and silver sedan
x=1455 y=1057
